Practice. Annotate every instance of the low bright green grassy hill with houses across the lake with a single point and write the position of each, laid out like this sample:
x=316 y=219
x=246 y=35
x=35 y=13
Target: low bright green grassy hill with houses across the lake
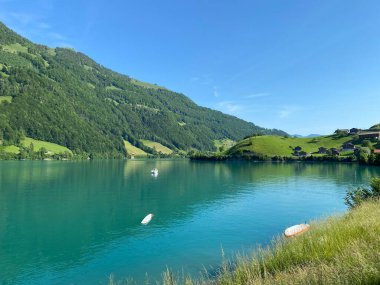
x=283 y=146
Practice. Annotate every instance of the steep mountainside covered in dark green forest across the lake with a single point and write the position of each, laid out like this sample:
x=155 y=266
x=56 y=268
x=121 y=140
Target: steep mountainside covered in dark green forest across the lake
x=62 y=96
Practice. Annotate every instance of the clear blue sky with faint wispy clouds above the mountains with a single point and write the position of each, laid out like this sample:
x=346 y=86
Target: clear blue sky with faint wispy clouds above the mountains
x=301 y=66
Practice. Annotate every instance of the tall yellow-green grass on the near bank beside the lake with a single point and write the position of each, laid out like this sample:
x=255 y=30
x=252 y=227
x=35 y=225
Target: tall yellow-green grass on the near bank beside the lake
x=340 y=250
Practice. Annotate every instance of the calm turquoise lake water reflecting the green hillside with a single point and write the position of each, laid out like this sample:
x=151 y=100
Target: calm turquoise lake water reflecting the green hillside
x=64 y=222
